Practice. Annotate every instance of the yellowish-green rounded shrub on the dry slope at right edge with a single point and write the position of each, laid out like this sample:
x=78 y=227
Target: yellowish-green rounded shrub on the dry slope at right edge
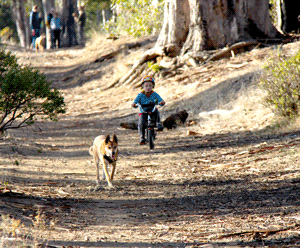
x=281 y=82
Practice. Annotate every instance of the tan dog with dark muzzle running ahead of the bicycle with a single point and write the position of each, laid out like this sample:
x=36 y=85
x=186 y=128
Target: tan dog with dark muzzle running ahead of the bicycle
x=105 y=151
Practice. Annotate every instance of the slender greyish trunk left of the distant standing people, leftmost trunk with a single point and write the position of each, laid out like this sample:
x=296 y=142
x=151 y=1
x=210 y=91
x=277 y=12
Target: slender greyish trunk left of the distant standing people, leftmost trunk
x=22 y=22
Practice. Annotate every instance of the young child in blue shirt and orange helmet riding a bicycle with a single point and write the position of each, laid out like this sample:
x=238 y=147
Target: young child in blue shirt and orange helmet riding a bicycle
x=145 y=97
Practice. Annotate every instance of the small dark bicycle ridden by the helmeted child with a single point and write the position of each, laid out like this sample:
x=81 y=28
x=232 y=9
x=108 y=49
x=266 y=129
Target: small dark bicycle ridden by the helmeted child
x=149 y=109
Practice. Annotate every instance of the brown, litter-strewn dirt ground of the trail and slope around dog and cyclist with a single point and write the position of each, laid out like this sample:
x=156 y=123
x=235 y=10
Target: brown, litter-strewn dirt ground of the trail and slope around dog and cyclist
x=218 y=181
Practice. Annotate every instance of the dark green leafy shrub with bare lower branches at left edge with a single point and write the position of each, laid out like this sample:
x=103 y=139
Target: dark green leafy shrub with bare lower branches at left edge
x=25 y=94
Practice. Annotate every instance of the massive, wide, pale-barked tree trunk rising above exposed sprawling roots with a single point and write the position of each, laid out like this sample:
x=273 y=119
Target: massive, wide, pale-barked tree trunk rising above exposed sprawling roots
x=194 y=25
